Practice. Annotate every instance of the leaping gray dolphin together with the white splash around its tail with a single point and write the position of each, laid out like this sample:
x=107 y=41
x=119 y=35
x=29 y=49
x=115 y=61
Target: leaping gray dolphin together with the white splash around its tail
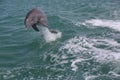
x=37 y=17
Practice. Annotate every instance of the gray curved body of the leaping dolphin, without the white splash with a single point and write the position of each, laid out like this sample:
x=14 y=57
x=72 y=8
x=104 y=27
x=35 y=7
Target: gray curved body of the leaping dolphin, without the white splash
x=35 y=17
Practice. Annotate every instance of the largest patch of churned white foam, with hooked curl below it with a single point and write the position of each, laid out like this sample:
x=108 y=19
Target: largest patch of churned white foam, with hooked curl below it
x=77 y=45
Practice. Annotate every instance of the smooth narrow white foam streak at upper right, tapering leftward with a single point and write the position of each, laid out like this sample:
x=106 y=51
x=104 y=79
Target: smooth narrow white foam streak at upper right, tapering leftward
x=113 y=24
